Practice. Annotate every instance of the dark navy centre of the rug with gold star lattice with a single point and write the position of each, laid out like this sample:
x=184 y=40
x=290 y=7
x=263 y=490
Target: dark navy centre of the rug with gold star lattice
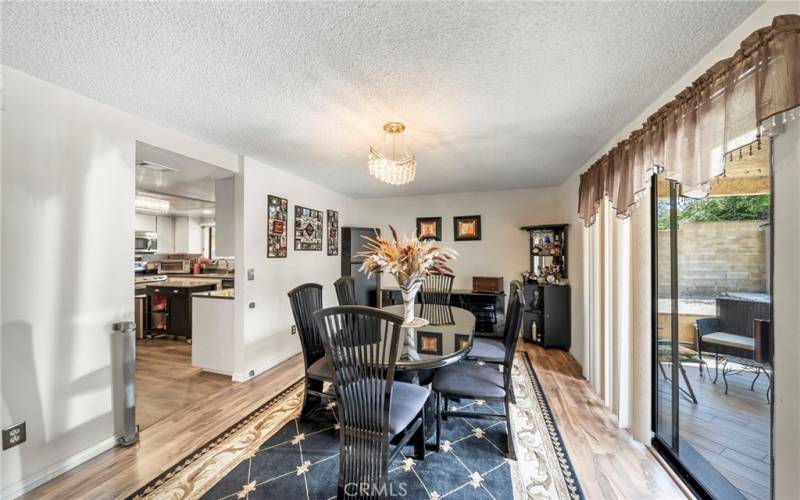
x=301 y=462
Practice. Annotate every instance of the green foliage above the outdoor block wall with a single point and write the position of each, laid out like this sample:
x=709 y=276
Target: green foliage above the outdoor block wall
x=726 y=208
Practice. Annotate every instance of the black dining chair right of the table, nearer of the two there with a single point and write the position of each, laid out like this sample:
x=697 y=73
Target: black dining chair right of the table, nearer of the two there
x=476 y=381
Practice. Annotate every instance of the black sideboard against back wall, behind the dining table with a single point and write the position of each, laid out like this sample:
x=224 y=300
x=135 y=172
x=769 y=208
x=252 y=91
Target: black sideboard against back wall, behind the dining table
x=488 y=308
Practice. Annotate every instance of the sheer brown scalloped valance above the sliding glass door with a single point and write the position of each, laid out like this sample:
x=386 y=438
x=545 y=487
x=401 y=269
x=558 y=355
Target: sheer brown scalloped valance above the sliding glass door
x=689 y=136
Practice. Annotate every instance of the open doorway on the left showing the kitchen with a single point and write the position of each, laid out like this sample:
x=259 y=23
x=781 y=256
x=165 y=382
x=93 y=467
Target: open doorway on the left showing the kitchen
x=184 y=278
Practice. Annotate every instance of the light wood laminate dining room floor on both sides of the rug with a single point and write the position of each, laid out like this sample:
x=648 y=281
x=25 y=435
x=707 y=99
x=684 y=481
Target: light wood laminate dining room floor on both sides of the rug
x=608 y=462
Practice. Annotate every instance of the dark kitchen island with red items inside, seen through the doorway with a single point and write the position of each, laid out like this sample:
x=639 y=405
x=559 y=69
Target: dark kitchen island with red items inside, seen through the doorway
x=169 y=309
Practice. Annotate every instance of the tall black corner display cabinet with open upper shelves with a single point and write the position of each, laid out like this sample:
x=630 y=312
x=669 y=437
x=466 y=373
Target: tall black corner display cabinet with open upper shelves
x=547 y=317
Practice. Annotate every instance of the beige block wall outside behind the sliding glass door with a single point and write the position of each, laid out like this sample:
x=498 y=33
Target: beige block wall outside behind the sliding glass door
x=715 y=257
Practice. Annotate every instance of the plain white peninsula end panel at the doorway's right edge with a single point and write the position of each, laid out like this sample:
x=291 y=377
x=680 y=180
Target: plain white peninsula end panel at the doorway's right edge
x=212 y=317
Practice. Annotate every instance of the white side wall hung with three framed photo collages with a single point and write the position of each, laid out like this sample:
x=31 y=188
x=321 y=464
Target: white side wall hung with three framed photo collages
x=265 y=331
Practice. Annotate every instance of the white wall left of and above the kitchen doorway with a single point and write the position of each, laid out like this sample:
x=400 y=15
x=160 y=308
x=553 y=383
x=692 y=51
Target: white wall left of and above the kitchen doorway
x=67 y=234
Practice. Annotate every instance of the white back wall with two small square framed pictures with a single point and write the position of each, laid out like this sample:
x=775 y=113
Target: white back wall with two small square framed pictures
x=503 y=248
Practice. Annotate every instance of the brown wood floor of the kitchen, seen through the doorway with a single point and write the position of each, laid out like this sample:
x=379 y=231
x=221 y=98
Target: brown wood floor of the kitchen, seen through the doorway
x=166 y=381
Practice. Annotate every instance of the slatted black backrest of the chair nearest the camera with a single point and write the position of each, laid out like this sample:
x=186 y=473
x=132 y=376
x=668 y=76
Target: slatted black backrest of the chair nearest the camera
x=362 y=345
